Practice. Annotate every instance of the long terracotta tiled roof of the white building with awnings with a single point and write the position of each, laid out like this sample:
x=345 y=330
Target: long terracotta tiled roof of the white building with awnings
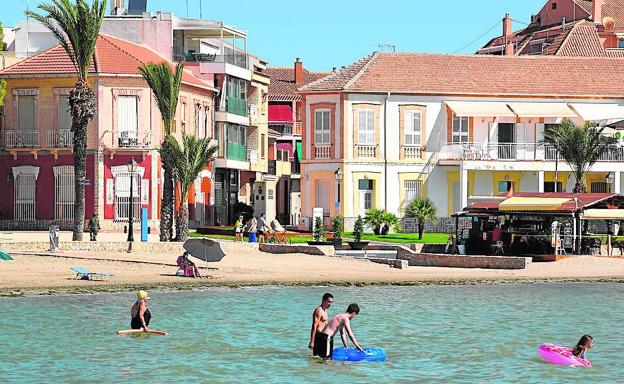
x=414 y=73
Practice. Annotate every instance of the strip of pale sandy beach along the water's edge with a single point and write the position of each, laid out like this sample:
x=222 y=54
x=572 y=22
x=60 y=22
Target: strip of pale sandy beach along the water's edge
x=50 y=273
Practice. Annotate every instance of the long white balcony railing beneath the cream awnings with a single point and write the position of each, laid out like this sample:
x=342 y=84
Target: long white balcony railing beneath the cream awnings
x=514 y=152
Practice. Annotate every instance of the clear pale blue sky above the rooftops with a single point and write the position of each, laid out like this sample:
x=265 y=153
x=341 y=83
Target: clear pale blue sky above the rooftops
x=333 y=33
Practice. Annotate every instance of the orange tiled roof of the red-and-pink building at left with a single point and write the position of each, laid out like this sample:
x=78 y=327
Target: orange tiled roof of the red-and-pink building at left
x=112 y=56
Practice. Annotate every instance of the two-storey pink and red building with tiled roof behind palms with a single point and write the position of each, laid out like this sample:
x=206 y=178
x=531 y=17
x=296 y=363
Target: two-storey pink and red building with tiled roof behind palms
x=37 y=163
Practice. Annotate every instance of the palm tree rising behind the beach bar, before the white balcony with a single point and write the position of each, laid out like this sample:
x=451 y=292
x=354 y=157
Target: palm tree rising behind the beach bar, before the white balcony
x=580 y=146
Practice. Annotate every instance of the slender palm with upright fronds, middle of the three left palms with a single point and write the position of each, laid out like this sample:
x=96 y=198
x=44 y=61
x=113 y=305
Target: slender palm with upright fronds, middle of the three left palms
x=165 y=86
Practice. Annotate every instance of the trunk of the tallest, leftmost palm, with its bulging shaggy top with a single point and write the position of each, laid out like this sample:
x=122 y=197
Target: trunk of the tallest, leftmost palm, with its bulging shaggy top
x=82 y=102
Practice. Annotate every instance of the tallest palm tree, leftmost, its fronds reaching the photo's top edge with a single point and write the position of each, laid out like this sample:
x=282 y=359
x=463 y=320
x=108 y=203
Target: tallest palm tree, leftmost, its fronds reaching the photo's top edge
x=76 y=27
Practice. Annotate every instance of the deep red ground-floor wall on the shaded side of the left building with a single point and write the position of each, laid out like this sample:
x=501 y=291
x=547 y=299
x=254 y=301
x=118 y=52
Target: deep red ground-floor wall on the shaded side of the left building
x=44 y=209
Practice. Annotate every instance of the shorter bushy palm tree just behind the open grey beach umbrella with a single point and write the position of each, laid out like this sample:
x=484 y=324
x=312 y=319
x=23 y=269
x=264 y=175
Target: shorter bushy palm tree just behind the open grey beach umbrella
x=188 y=160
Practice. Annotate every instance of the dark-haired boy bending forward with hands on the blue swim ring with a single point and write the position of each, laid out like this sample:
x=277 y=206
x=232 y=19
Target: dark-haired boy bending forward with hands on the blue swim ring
x=324 y=342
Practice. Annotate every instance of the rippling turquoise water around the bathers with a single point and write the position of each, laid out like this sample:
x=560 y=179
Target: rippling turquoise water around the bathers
x=478 y=333
